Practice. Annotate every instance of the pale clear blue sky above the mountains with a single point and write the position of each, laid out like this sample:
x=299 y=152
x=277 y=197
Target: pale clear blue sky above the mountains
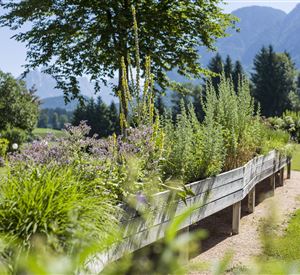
x=13 y=54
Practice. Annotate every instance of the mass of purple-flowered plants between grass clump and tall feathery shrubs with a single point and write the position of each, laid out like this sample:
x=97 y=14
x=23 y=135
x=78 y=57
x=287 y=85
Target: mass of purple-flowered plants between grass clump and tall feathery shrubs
x=123 y=166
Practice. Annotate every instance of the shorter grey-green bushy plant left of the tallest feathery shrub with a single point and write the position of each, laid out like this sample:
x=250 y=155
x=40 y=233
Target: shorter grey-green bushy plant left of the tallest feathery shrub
x=194 y=150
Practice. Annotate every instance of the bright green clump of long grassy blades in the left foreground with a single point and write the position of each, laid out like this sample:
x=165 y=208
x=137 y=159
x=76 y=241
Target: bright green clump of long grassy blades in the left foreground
x=56 y=205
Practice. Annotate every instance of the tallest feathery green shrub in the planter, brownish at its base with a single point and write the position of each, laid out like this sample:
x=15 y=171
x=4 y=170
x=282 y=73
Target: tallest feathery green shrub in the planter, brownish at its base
x=235 y=115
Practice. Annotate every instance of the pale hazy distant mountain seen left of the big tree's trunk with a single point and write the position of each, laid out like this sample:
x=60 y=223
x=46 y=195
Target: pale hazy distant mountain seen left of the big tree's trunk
x=45 y=86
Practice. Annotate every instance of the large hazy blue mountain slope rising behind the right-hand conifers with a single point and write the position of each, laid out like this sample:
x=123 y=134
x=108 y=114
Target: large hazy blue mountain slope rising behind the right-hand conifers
x=260 y=26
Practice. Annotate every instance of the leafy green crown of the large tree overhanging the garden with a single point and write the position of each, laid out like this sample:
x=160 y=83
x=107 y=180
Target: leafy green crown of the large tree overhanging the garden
x=78 y=44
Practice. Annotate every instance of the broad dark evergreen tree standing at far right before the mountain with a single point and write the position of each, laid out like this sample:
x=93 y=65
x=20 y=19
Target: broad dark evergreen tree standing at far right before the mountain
x=273 y=79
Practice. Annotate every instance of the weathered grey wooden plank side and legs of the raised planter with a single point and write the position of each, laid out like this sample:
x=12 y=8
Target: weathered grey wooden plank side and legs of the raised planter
x=211 y=195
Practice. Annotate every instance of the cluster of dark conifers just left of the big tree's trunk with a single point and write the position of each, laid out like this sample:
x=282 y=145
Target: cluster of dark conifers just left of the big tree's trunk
x=102 y=119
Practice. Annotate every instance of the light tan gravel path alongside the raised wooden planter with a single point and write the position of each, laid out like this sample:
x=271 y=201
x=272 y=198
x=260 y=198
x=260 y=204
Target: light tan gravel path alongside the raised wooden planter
x=246 y=245
